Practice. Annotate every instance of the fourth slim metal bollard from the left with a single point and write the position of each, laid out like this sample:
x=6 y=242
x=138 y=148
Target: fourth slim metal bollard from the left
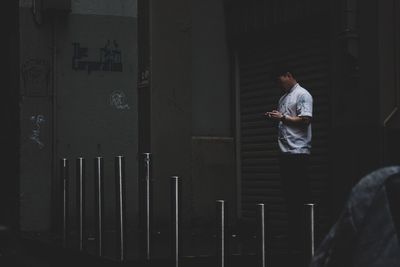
x=120 y=201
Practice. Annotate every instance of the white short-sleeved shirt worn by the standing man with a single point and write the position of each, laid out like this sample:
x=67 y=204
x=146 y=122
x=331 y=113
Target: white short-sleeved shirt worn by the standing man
x=295 y=139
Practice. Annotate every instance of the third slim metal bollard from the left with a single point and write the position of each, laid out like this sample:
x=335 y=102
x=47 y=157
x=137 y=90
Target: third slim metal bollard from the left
x=99 y=203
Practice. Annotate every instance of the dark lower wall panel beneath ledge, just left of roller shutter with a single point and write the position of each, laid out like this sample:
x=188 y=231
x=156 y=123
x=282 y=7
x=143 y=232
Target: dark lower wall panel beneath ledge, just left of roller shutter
x=213 y=178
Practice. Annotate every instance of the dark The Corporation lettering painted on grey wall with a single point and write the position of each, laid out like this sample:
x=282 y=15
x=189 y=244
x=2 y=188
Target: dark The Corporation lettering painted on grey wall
x=110 y=58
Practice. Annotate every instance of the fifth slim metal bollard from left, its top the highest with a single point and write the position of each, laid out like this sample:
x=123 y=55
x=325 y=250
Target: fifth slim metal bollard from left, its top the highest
x=148 y=204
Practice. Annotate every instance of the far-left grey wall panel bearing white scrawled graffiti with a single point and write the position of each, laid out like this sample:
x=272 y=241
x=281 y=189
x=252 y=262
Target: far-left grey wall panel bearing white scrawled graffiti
x=36 y=123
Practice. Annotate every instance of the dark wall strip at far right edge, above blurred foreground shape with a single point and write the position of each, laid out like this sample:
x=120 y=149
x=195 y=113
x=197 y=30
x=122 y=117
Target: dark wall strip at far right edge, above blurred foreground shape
x=389 y=82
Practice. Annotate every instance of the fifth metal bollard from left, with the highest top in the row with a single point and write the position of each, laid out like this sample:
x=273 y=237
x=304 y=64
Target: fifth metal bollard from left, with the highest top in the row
x=147 y=205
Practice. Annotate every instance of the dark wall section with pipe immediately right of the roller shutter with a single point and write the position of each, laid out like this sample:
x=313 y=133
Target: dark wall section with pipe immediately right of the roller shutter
x=354 y=140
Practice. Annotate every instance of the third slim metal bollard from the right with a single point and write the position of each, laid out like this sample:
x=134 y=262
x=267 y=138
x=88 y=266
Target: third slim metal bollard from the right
x=221 y=233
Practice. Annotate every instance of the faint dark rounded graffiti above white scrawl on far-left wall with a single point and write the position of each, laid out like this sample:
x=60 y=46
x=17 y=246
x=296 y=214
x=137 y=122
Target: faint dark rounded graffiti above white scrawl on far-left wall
x=35 y=77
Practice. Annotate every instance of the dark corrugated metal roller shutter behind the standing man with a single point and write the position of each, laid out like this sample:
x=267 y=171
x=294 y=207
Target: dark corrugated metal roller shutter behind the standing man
x=259 y=149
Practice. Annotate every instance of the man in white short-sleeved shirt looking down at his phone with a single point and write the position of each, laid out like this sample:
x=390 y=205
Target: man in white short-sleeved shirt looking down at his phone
x=294 y=116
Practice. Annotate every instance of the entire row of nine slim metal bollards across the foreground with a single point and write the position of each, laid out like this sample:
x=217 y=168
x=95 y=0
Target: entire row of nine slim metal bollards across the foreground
x=146 y=218
